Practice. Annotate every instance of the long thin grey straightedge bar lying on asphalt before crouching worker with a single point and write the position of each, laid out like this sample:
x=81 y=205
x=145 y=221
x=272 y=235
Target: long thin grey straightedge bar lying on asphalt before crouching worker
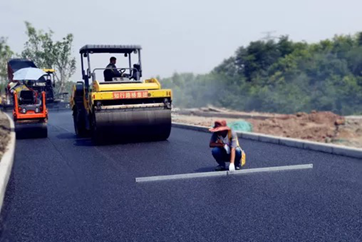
x=223 y=173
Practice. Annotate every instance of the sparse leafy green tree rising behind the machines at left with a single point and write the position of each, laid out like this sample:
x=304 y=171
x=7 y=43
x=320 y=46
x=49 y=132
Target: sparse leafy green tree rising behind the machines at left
x=47 y=53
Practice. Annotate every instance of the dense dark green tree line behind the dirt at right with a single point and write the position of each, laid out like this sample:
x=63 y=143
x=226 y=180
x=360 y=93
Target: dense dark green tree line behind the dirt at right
x=280 y=76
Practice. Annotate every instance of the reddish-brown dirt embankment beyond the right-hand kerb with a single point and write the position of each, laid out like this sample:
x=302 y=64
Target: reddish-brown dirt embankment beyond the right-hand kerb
x=324 y=127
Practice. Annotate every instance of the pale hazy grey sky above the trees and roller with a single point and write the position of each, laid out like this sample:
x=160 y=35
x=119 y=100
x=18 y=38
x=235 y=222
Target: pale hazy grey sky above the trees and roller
x=183 y=36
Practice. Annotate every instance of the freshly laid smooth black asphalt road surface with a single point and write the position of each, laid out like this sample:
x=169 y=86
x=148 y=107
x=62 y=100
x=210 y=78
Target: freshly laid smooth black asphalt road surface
x=65 y=189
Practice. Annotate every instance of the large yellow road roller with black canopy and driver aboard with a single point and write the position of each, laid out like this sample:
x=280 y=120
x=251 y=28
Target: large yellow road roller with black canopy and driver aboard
x=121 y=107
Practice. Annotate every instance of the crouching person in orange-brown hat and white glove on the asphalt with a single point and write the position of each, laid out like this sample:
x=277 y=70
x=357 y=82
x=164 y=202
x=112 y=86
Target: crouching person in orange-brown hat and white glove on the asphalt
x=225 y=147
